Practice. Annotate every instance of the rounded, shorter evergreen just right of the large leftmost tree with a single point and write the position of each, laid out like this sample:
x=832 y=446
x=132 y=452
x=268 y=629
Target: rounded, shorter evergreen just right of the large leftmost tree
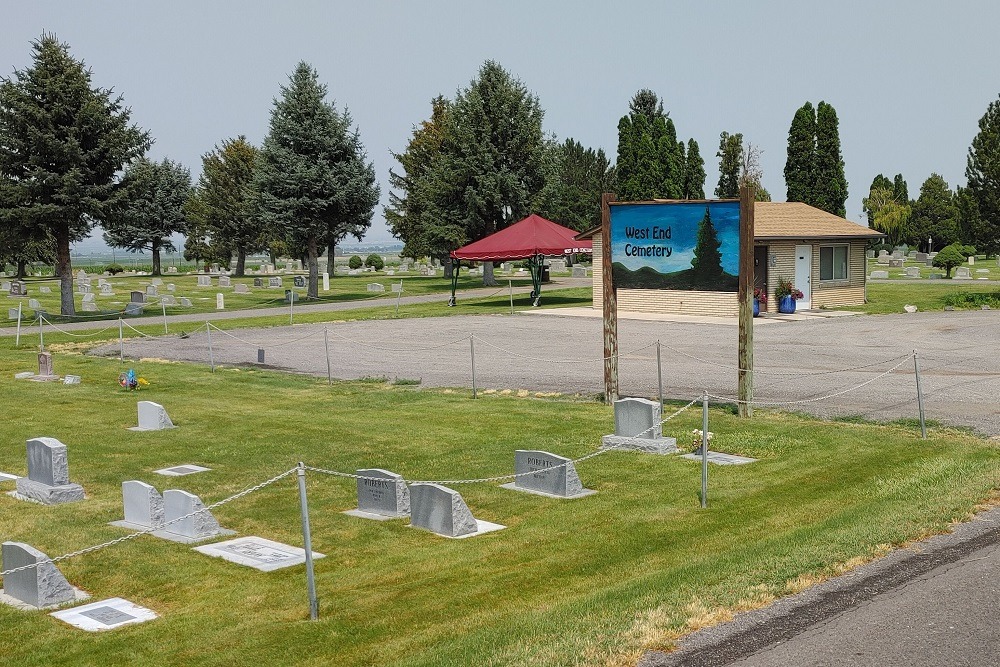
x=151 y=209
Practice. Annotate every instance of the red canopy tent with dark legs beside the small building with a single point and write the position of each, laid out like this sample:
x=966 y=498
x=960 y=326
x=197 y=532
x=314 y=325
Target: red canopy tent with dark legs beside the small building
x=533 y=239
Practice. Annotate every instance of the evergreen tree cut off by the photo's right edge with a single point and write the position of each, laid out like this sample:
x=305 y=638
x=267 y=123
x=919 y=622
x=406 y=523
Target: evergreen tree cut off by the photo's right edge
x=983 y=173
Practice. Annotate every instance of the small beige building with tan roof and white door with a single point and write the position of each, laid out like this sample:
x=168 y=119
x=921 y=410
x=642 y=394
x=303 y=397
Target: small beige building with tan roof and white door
x=822 y=254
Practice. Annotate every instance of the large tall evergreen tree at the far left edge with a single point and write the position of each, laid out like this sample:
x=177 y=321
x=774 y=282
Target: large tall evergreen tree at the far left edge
x=62 y=144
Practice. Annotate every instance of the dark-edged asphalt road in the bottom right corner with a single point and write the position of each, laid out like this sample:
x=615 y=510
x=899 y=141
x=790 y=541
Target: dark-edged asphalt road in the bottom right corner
x=937 y=603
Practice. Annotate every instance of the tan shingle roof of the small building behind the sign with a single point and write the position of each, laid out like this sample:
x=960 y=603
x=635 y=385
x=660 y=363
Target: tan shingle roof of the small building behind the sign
x=793 y=220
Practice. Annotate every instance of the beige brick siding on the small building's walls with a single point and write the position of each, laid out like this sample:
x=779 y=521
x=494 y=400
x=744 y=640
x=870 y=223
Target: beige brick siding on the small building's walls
x=829 y=294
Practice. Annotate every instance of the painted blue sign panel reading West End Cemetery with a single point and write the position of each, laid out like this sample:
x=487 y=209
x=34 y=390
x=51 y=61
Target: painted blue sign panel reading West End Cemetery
x=676 y=245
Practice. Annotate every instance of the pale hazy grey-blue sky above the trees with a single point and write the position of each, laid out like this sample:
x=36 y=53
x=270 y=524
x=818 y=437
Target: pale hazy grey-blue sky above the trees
x=909 y=80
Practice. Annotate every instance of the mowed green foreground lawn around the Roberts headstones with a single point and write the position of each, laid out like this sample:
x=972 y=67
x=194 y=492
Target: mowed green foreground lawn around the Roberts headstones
x=592 y=581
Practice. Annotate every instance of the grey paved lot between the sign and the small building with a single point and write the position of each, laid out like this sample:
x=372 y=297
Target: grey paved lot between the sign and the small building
x=800 y=365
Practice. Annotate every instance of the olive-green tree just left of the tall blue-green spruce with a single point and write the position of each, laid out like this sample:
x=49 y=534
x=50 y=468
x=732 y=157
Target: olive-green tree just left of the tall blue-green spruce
x=229 y=198
